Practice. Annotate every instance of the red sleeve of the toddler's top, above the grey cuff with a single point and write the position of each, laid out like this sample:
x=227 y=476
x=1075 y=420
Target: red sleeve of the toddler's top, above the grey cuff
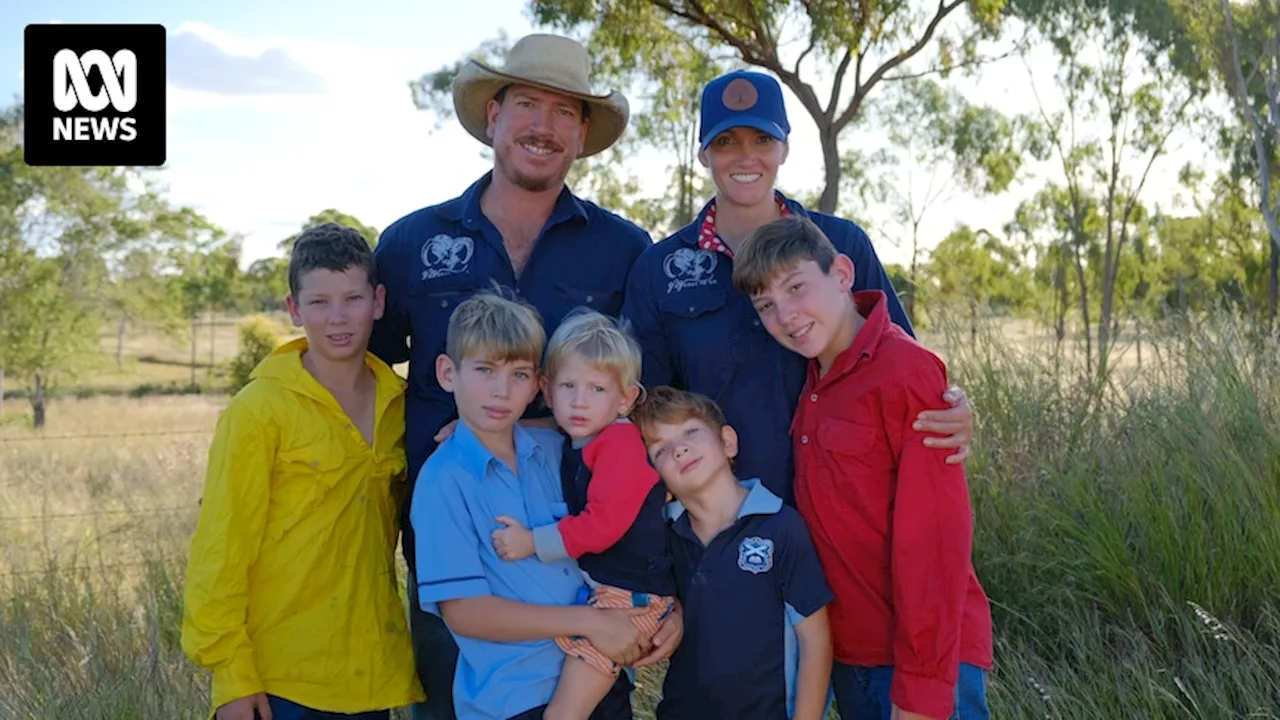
x=621 y=480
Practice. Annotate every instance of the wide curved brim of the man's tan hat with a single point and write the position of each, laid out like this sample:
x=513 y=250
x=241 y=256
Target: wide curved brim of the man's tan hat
x=477 y=85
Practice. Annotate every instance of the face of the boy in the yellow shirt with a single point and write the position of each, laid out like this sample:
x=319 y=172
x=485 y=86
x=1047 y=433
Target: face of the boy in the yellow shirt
x=337 y=312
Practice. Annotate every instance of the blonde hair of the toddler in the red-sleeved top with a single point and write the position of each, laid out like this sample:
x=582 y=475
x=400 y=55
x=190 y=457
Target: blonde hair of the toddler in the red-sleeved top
x=601 y=341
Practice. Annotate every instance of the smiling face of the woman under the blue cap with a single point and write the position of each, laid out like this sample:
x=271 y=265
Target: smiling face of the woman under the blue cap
x=744 y=165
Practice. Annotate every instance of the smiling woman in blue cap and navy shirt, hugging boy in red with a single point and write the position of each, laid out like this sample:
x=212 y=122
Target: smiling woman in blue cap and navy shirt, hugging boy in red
x=700 y=334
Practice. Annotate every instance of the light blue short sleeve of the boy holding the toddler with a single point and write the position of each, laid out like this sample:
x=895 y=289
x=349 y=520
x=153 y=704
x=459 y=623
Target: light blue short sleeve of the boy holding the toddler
x=449 y=554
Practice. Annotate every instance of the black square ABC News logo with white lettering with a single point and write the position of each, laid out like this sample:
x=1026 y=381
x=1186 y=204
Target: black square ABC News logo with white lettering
x=95 y=95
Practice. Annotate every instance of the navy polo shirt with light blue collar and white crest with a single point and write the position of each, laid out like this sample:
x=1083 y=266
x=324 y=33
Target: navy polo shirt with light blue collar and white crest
x=743 y=596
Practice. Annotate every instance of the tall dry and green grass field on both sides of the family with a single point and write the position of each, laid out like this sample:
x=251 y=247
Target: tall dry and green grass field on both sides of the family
x=1128 y=534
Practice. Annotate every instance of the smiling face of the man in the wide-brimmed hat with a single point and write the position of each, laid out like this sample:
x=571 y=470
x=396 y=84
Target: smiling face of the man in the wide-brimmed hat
x=537 y=136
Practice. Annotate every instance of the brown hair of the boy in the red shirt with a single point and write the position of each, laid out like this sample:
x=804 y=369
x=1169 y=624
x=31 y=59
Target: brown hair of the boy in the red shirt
x=779 y=247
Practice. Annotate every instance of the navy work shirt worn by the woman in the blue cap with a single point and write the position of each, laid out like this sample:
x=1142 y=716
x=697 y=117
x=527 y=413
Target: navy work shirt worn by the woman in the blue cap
x=701 y=335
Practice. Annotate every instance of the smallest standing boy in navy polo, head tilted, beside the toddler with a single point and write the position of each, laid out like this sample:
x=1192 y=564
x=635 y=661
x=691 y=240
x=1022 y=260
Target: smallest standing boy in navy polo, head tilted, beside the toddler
x=757 y=641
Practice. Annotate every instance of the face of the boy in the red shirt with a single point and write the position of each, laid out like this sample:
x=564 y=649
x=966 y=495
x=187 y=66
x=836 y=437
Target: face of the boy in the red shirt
x=806 y=309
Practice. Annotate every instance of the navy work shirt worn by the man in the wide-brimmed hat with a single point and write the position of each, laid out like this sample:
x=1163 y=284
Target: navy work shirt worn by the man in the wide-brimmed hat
x=433 y=259
